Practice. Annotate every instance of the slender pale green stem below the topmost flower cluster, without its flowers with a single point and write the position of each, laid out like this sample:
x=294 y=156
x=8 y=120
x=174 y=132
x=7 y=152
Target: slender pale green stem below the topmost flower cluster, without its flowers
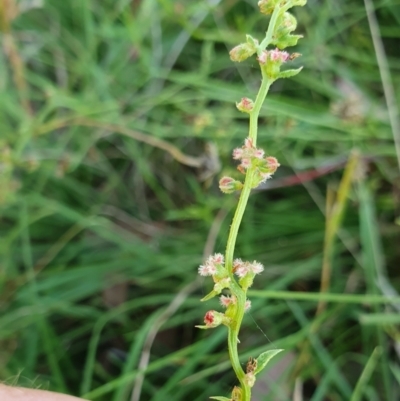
x=238 y=292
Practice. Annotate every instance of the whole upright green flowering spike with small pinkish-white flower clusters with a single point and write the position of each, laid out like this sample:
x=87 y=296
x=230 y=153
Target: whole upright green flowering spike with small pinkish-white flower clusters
x=236 y=276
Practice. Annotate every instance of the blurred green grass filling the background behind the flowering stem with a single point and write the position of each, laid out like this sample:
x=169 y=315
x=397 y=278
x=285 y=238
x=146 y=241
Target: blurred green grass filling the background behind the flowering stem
x=115 y=118
